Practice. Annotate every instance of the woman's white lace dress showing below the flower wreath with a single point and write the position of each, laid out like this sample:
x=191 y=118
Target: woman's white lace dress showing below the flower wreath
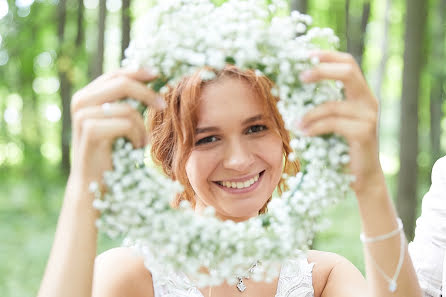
x=295 y=280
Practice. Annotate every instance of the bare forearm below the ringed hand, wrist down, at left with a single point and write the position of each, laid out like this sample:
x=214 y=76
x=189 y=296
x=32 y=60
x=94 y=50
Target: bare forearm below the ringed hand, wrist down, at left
x=69 y=270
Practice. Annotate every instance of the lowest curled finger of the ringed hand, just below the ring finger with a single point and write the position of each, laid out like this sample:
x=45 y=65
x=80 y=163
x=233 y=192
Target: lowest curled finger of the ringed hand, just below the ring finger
x=97 y=130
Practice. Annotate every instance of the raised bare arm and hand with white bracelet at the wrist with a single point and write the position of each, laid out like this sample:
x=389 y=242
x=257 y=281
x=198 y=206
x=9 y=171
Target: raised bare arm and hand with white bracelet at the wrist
x=356 y=120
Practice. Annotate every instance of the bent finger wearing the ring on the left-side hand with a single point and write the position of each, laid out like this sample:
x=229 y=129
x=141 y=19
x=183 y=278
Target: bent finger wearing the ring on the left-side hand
x=119 y=111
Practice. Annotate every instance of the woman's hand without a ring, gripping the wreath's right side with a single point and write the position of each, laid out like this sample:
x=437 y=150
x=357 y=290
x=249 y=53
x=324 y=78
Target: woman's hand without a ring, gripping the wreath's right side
x=355 y=118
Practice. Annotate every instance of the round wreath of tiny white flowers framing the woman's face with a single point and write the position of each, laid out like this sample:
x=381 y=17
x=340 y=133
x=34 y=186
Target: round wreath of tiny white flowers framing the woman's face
x=175 y=39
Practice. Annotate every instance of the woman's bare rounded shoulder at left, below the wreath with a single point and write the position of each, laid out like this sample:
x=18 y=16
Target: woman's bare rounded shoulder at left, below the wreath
x=120 y=272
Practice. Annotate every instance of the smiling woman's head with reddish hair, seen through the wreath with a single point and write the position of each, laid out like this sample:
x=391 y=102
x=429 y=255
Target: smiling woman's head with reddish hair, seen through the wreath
x=252 y=143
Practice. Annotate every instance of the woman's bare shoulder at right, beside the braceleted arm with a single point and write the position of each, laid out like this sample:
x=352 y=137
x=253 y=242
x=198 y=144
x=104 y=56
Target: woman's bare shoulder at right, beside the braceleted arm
x=334 y=275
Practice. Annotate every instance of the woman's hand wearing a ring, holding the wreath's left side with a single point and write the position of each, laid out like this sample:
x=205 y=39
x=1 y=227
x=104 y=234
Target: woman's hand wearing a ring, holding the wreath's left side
x=96 y=126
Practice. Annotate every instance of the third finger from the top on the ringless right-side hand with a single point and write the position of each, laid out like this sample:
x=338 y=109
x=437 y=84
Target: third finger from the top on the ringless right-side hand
x=339 y=109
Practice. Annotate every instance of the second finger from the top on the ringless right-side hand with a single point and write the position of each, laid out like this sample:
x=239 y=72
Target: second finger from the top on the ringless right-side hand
x=349 y=74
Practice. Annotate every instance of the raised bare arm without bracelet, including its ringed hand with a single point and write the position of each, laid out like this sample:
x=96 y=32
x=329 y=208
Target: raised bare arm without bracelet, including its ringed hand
x=70 y=267
